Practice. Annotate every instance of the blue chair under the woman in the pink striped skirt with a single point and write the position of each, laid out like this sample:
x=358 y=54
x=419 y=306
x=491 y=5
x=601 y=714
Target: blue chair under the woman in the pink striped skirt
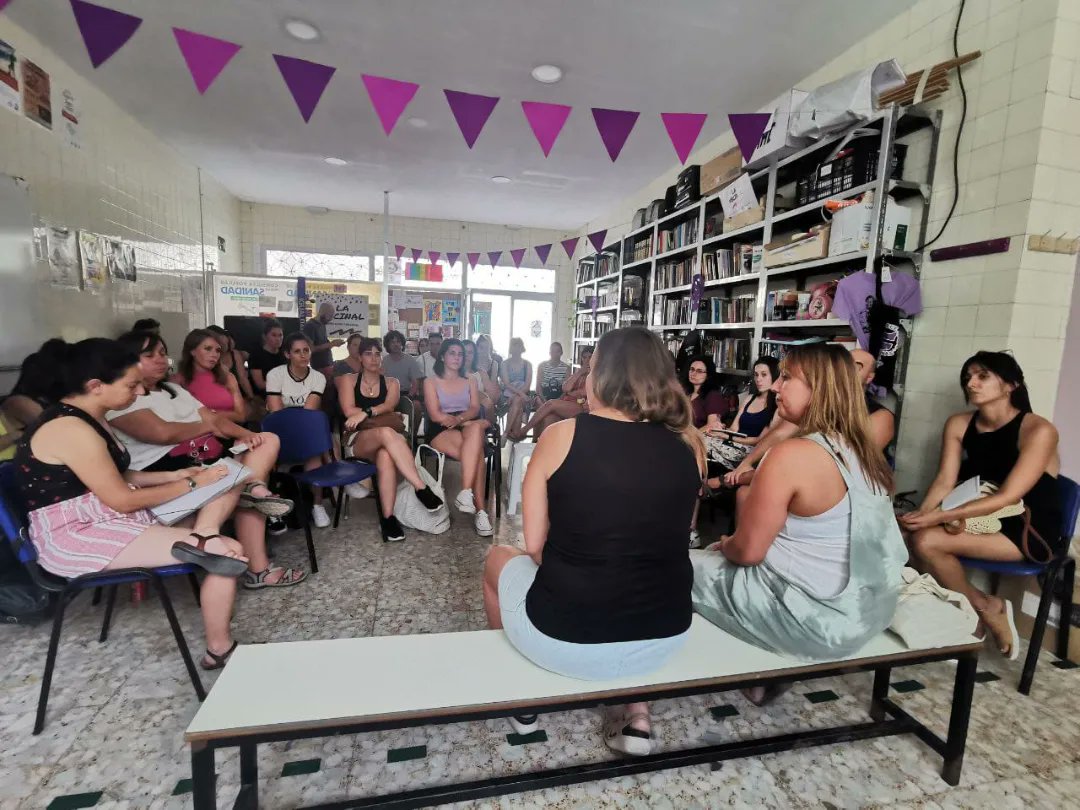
x=13 y=522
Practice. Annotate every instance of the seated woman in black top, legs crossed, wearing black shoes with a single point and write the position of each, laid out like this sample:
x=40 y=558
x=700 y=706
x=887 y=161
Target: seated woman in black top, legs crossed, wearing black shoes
x=370 y=404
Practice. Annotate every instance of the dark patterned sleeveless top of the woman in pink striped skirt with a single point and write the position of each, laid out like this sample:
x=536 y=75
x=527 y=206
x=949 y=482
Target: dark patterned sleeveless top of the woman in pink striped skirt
x=44 y=484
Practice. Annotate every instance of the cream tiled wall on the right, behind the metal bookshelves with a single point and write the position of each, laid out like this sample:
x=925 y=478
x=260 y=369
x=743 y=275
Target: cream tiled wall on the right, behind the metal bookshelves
x=1019 y=166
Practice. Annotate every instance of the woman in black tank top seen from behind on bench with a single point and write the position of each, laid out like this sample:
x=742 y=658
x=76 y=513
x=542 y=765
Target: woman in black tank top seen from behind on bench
x=607 y=502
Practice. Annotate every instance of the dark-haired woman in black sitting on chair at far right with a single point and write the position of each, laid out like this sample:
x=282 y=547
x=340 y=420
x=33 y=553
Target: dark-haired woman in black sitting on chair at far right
x=1004 y=443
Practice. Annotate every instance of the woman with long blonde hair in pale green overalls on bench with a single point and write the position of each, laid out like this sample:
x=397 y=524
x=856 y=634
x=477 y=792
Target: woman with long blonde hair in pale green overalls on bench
x=814 y=570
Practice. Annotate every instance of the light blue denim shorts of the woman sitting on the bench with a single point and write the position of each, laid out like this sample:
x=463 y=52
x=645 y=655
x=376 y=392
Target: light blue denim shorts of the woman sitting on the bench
x=585 y=661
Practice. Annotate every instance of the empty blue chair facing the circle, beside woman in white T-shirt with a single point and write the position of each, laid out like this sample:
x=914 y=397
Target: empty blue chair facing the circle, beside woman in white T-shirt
x=306 y=435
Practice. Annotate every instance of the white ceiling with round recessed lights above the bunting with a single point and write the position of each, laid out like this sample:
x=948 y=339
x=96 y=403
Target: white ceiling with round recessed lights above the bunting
x=676 y=57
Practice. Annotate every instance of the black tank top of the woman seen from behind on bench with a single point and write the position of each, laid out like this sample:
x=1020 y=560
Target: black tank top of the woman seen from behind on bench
x=616 y=565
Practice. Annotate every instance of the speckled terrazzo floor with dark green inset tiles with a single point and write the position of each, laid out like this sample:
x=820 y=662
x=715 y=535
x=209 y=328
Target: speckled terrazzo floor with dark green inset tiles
x=117 y=714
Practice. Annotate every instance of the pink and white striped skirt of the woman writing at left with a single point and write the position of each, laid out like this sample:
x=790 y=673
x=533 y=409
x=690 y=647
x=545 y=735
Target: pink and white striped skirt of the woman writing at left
x=83 y=535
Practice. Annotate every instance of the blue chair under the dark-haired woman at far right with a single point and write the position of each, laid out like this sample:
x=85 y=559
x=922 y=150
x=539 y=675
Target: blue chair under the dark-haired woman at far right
x=1063 y=568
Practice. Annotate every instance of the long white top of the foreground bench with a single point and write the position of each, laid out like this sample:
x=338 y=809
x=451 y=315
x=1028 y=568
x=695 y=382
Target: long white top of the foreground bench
x=344 y=681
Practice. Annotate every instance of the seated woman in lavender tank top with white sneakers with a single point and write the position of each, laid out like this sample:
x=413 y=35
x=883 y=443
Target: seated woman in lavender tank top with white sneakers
x=456 y=429
